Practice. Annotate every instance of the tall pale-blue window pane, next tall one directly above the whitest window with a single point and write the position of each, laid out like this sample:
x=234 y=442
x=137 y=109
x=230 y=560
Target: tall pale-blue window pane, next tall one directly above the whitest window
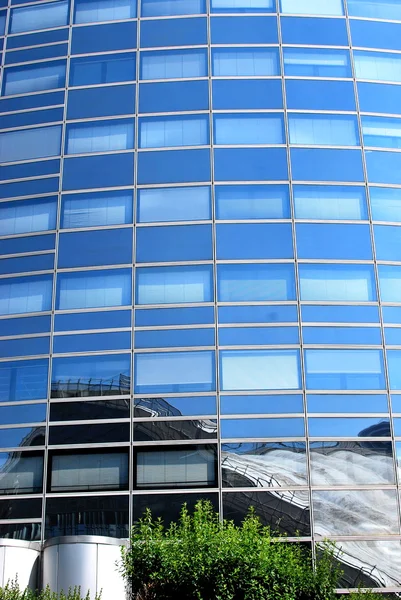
x=255 y=283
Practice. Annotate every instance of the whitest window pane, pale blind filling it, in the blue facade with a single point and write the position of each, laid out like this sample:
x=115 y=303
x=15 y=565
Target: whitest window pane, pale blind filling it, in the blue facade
x=259 y=370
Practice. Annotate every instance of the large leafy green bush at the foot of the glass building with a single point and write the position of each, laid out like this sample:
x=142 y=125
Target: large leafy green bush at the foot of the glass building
x=202 y=558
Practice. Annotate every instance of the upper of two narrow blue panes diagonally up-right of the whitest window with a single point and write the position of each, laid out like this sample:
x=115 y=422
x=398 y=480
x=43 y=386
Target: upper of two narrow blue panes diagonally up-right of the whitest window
x=340 y=314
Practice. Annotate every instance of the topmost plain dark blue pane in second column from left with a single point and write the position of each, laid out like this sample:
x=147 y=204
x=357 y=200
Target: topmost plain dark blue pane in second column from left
x=104 y=38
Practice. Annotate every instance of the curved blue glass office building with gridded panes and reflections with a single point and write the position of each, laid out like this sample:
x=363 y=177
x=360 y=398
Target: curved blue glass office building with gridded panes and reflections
x=200 y=281
